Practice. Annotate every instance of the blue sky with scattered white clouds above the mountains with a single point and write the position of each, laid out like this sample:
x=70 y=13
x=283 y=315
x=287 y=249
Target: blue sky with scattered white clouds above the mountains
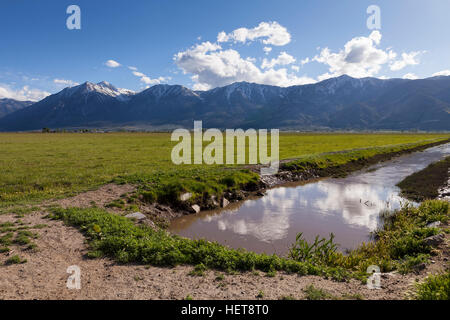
x=176 y=42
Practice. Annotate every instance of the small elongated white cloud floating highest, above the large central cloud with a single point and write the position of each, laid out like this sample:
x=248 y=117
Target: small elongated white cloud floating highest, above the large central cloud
x=272 y=33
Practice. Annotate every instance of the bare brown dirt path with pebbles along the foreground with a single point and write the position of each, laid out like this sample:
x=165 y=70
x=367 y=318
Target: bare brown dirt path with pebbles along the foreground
x=44 y=275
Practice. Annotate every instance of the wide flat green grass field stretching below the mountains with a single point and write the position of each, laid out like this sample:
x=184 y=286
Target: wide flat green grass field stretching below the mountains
x=37 y=166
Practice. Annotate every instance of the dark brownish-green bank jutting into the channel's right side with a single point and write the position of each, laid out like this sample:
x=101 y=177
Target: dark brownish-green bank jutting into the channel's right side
x=426 y=183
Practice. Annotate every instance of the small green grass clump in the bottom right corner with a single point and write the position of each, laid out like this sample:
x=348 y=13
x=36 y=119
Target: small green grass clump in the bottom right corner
x=435 y=287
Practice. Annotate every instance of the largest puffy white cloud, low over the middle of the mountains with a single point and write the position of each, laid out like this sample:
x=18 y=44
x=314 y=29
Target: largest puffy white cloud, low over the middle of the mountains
x=211 y=66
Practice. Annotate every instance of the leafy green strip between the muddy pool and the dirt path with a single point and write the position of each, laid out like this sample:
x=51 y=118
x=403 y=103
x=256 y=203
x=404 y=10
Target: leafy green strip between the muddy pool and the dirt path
x=400 y=245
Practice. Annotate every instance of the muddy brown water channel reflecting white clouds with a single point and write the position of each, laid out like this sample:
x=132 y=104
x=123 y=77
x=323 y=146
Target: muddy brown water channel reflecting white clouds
x=348 y=207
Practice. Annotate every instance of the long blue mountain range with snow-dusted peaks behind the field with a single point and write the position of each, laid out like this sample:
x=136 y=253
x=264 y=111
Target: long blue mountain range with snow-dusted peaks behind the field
x=337 y=103
